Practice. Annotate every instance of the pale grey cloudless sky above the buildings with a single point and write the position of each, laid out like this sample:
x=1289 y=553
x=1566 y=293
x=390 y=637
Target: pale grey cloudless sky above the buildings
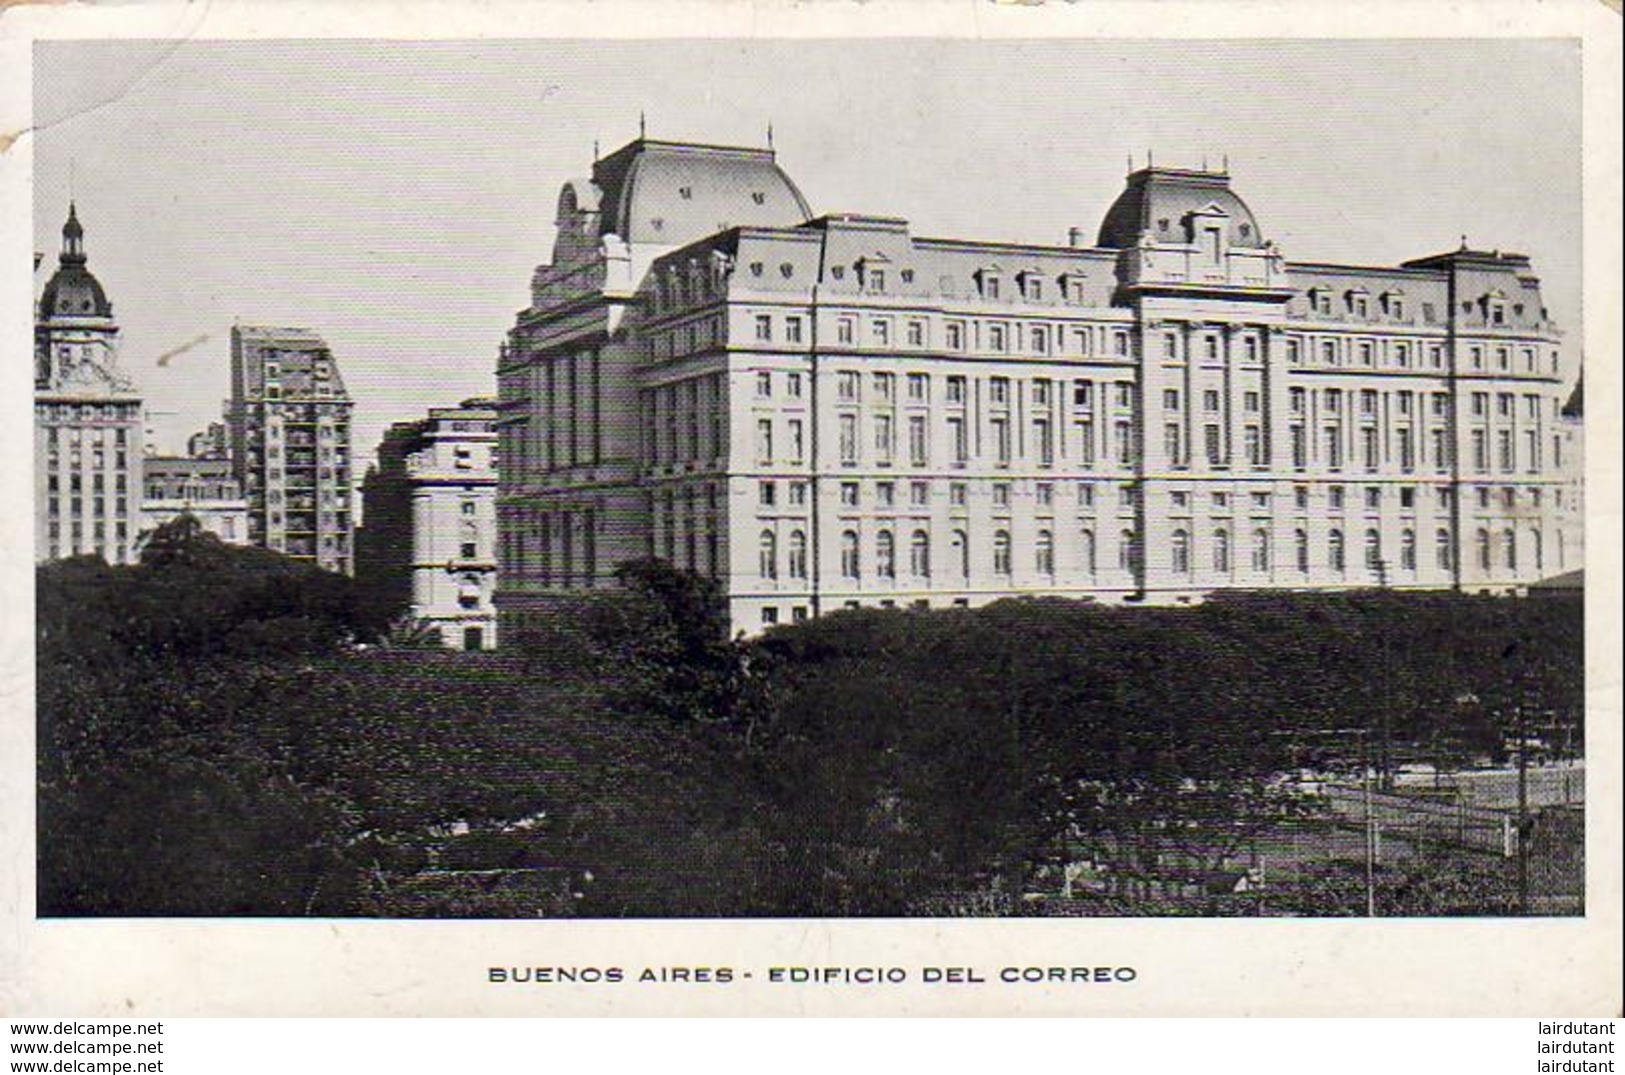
x=397 y=196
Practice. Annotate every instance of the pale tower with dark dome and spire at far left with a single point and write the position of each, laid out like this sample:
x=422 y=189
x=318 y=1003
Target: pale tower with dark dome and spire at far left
x=87 y=418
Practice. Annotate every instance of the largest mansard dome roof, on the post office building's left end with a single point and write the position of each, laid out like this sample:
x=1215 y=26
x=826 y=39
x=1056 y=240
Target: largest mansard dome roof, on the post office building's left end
x=667 y=192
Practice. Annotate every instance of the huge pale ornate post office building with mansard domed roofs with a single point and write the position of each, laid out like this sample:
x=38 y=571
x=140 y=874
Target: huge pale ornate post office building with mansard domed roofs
x=831 y=412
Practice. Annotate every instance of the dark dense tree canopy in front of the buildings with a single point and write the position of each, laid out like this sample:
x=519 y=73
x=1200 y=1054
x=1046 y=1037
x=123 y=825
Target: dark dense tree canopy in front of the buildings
x=215 y=741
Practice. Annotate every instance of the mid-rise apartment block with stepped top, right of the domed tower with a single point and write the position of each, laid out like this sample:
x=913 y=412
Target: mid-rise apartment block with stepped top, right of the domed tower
x=288 y=423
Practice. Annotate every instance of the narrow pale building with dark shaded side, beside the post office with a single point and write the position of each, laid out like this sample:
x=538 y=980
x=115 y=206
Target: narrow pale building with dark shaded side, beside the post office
x=430 y=537
